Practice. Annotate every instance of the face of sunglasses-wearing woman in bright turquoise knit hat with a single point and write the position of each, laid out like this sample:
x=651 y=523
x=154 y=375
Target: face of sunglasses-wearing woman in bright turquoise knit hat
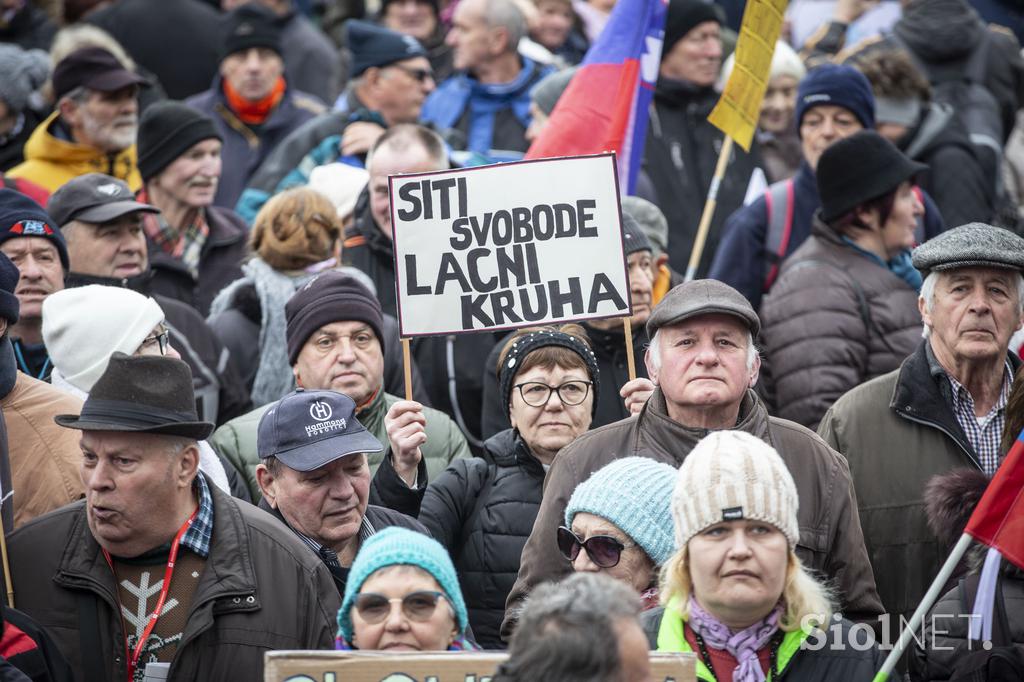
x=398 y=632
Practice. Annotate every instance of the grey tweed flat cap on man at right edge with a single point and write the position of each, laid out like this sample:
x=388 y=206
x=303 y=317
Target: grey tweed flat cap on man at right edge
x=975 y=244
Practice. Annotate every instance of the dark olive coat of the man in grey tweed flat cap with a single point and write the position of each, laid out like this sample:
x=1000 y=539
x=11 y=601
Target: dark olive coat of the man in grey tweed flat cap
x=898 y=432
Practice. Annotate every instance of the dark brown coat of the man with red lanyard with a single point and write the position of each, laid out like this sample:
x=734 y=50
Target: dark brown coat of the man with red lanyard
x=262 y=589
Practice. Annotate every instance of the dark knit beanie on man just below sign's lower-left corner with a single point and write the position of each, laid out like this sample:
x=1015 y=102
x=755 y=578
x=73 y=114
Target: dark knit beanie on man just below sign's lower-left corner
x=329 y=297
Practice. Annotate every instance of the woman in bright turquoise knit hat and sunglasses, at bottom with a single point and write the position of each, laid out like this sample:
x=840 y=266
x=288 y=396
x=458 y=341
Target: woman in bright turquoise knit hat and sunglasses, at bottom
x=403 y=595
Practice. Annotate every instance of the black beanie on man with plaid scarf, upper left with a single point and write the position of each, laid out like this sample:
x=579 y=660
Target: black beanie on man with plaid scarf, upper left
x=167 y=131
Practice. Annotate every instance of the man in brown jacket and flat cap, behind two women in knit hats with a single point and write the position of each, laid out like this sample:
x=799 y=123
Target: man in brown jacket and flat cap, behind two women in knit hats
x=703 y=361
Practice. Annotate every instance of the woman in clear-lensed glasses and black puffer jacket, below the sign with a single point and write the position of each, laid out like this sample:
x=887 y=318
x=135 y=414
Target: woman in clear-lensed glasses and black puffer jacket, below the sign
x=483 y=510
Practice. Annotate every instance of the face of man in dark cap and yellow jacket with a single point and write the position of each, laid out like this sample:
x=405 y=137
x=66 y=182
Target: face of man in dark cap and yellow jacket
x=107 y=121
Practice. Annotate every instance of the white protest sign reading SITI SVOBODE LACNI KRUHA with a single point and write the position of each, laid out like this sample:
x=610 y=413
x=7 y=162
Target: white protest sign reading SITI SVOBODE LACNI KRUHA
x=509 y=245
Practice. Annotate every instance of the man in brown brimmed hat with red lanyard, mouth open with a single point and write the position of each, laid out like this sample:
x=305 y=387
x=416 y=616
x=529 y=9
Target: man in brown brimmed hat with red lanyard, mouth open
x=154 y=537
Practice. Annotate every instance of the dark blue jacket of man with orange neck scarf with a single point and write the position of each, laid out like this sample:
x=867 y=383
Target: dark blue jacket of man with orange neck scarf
x=246 y=148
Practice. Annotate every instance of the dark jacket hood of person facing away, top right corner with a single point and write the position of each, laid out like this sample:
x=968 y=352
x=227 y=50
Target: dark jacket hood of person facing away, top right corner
x=940 y=30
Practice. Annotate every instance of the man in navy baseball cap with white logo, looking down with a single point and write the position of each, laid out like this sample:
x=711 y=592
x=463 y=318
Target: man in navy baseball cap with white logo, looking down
x=316 y=478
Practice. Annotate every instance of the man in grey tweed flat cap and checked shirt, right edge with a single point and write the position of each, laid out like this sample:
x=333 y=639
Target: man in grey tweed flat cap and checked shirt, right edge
x=944 y=408
